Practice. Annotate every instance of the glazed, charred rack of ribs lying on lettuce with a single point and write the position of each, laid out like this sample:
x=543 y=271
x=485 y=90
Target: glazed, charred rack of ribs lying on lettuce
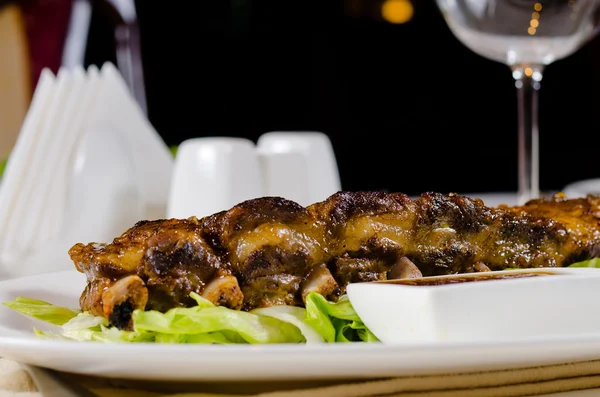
x=272 y=251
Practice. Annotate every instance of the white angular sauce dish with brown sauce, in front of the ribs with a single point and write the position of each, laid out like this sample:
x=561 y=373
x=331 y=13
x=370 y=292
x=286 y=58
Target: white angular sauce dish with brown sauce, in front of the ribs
x=481 y=307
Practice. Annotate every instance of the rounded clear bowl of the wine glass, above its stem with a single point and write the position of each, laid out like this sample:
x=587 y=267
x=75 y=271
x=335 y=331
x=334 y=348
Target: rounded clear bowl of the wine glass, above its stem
x=517 y=32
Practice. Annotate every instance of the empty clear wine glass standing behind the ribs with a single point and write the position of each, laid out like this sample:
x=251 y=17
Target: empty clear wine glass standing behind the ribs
x=526 y=35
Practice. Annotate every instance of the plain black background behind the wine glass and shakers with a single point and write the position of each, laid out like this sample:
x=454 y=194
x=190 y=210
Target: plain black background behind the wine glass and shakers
x=407 y=107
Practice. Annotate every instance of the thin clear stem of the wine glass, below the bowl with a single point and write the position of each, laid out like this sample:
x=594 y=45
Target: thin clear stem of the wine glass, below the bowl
x=527 y=80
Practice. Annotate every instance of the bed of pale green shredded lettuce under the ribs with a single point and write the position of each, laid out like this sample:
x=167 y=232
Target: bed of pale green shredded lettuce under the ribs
x=320 y=322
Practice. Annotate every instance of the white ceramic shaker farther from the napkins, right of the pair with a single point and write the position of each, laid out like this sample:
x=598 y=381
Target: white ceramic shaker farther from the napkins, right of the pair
x=298 y=165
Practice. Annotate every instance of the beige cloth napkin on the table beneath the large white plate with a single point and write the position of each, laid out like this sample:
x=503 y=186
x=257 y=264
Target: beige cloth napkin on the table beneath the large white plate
x=16 y=382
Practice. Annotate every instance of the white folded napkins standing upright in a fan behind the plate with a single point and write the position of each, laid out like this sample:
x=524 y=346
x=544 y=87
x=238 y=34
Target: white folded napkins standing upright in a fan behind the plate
x=86 y=166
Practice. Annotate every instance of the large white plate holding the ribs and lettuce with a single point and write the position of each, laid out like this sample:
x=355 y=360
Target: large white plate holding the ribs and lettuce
x=253 y=362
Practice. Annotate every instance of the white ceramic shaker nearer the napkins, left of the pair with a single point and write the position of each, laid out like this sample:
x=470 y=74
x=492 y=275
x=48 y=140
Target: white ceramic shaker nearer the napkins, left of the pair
x=213 y=174
